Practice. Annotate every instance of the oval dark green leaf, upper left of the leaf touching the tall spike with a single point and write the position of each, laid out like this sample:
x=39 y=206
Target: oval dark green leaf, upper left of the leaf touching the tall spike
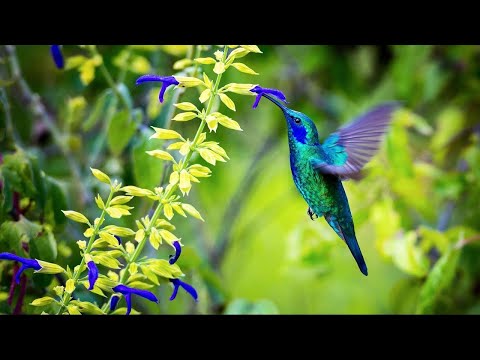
x=120 y=130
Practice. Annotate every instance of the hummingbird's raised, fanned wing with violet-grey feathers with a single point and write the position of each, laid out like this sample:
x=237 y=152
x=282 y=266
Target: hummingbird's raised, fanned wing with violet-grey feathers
x=346 y=151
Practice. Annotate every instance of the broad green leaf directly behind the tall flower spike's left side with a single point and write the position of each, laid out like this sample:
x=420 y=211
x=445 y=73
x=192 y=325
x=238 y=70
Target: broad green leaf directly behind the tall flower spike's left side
x=146 y=169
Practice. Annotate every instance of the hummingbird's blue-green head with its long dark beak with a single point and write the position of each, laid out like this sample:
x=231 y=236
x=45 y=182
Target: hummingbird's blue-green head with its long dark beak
x=300 y=127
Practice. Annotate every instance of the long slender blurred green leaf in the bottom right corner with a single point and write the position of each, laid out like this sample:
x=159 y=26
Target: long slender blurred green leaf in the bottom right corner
x=438 y=281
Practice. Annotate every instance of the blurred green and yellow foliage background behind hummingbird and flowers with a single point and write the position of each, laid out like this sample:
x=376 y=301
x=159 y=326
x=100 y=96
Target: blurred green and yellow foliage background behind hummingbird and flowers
x=415 y=211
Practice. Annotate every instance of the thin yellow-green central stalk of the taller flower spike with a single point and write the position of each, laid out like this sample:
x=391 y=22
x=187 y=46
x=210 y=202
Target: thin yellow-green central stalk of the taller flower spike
x=169 y=193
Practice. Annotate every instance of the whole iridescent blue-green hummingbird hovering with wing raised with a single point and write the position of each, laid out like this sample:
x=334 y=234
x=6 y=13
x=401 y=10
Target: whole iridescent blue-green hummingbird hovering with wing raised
x=318 y=169
